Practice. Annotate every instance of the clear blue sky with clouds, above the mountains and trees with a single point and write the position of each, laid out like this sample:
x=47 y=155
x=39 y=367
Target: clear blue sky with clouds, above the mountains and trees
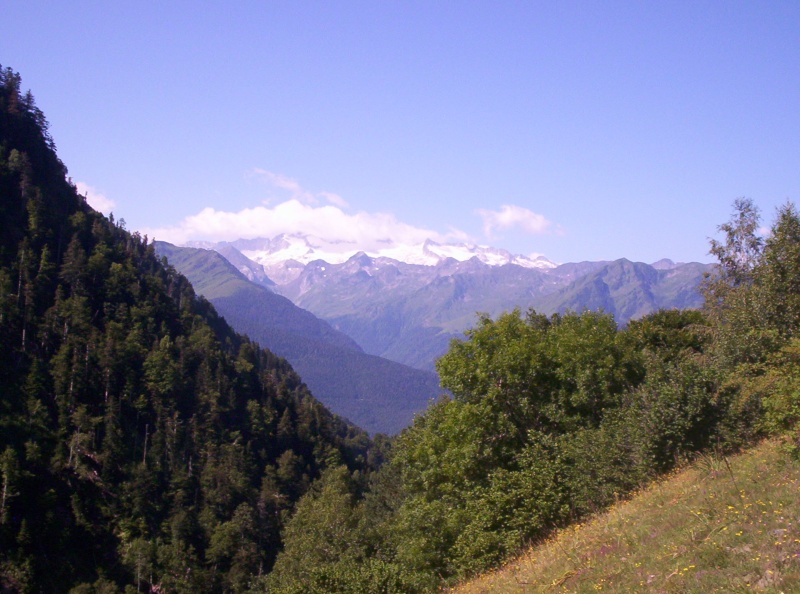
x=577 y=130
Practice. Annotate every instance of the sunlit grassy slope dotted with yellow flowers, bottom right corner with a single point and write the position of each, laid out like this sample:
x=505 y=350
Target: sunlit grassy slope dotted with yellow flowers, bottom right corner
x=722 y=525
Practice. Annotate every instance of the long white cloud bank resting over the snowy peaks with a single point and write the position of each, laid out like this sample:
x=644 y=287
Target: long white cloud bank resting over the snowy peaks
x=367 y=231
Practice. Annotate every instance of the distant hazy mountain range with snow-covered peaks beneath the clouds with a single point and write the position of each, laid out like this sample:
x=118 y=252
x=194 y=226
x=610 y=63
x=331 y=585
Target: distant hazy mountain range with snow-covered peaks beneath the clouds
x=407 y=308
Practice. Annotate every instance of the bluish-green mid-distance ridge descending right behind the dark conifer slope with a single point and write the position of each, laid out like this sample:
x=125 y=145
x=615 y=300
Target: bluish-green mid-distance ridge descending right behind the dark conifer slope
x=377 y=394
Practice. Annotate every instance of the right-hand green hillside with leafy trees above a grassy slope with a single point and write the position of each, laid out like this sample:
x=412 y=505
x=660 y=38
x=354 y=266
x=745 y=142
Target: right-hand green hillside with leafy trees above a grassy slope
x=554 y=419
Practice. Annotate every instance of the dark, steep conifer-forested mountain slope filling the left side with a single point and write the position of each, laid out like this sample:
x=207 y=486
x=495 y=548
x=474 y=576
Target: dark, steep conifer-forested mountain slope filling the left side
x=142 y=442
